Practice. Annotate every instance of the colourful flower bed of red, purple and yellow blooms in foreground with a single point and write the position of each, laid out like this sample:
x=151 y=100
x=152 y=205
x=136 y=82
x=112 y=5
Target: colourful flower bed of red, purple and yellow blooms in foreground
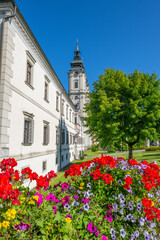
x=105 y=198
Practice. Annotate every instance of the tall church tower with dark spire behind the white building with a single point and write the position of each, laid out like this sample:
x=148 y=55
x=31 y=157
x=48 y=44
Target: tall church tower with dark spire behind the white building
x=78 y=84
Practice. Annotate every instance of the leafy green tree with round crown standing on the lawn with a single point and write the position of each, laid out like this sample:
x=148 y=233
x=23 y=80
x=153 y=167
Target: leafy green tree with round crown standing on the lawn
x=124 y=107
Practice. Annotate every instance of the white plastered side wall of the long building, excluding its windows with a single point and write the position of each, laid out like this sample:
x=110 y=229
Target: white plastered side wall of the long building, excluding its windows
x=23 y=98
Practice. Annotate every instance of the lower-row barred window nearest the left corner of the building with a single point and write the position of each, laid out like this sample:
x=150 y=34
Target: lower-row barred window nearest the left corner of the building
x=28 y=129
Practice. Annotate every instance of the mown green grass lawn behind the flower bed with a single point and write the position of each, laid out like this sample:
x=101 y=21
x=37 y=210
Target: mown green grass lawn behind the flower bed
x=139 y=156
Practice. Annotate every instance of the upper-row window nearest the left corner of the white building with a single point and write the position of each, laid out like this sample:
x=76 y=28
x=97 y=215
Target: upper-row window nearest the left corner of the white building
x=30 y=63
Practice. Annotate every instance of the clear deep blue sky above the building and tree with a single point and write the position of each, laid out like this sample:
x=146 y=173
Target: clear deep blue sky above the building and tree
x=121 y=34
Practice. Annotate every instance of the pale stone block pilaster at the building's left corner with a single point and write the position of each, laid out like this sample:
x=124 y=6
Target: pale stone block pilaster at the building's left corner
x=6 y=76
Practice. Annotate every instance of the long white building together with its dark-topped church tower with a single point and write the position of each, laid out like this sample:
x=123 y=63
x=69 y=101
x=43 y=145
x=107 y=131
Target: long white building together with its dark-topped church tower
x=41 y=124
